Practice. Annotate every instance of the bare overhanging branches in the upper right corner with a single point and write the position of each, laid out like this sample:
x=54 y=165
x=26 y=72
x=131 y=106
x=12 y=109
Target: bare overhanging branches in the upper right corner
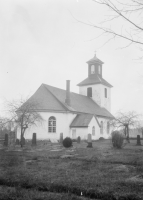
x=124 y=21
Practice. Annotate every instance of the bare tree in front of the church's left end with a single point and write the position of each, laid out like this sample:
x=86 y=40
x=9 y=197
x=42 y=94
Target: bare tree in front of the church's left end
x=25 y=114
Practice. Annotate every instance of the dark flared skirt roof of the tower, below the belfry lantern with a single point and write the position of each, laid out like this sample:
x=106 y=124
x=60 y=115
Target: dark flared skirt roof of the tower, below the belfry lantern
x=95 y=80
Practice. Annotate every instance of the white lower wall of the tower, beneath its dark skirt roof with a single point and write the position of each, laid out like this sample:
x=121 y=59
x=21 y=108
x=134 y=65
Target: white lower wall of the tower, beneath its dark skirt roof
x=98 y=95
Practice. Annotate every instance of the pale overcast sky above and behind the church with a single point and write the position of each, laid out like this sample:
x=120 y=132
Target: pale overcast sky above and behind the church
x=41 y=41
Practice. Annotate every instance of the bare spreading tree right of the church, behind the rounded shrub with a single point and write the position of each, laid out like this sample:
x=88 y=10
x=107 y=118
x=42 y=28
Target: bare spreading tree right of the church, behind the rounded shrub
x=125 y=121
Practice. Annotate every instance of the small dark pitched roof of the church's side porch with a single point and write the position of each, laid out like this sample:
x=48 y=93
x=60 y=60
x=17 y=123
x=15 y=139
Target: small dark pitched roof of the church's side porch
x=81 y=120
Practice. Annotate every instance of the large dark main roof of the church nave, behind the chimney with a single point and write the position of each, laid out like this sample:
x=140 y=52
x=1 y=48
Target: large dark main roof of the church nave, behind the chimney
x=50 y=98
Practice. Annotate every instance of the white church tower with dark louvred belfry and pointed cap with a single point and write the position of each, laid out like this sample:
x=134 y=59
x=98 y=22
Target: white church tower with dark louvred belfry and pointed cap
x=95 y=86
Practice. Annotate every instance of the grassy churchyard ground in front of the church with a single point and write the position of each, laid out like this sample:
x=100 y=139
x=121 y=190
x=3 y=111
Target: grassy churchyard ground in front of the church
x=53 y=172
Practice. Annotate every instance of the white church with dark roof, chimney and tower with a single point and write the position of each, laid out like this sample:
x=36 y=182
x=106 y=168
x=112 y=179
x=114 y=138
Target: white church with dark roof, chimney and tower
x=74 y=114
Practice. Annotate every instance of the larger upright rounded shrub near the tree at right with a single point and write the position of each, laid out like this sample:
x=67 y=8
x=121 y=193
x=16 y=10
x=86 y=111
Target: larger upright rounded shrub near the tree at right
x=117 y=139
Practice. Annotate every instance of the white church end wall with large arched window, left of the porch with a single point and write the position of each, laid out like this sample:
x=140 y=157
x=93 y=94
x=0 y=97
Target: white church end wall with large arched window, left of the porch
x=63 y=120
